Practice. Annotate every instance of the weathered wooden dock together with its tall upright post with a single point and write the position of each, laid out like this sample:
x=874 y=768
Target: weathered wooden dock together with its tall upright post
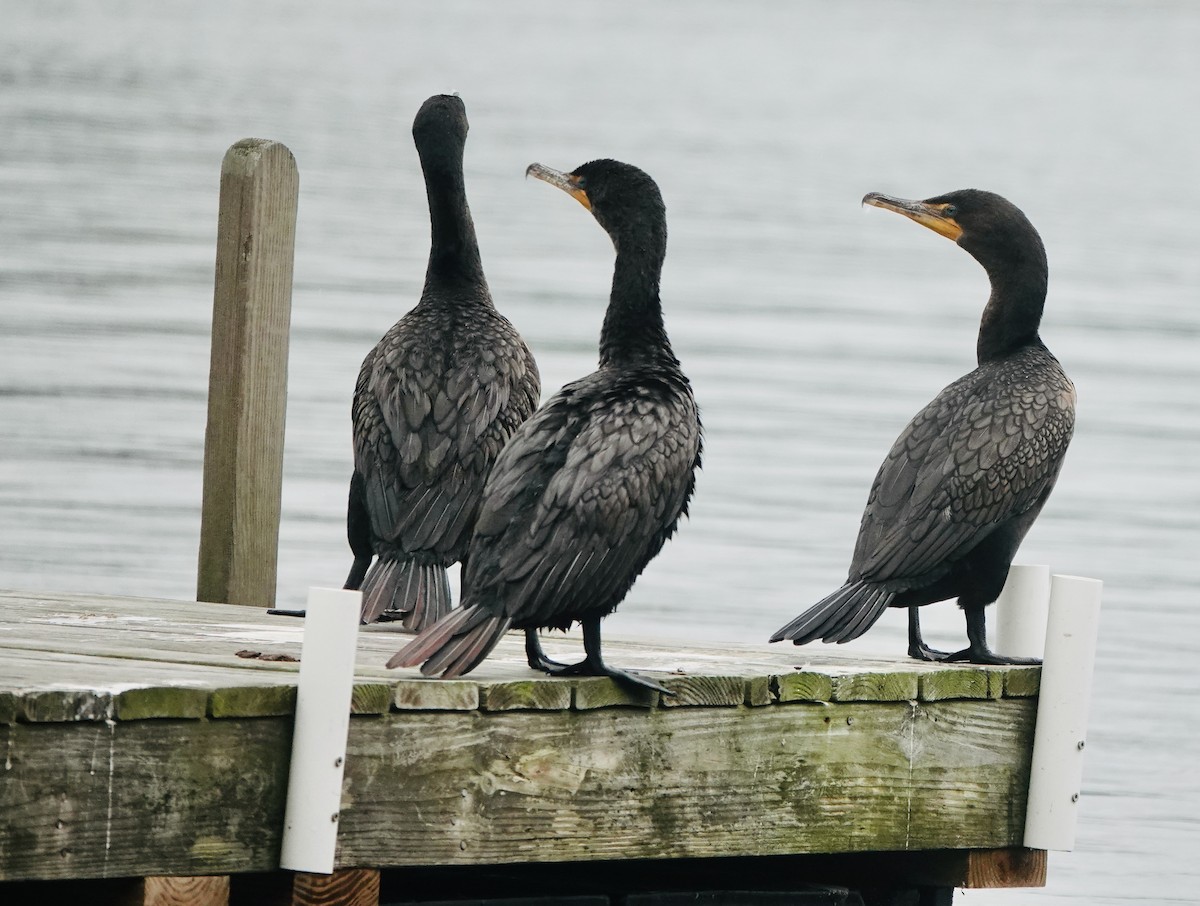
x=147 y=745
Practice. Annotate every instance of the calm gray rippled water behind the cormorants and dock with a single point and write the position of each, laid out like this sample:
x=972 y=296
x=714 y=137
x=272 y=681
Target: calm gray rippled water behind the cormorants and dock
x=812 y=328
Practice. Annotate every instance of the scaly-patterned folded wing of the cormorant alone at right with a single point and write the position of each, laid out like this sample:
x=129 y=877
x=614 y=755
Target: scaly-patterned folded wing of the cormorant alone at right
x=986 y=451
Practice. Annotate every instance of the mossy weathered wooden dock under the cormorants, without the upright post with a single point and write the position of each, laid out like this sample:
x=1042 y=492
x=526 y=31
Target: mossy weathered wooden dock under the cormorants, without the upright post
x=153 y=737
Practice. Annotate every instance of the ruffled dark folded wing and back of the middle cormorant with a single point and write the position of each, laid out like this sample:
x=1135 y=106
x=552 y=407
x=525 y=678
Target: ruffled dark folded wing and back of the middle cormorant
x=584 y=496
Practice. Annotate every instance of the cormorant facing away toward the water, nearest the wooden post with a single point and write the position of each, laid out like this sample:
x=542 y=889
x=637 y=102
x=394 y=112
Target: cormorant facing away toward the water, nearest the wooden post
x=436 y=400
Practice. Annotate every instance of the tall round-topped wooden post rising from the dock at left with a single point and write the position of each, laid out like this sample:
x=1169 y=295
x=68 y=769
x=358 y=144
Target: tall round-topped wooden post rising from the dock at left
x=248 y=375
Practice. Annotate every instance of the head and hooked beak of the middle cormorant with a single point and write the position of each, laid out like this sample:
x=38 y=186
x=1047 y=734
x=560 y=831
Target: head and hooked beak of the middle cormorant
x=623 y=200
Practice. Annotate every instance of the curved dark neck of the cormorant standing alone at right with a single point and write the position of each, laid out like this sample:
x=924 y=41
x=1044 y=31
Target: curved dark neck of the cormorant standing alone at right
x=1011 y=320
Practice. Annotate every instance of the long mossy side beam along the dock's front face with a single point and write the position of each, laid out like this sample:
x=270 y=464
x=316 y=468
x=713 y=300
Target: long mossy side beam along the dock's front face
x=469 y=788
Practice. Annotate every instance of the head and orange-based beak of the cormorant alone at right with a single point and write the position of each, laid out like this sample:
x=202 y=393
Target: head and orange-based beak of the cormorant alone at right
x=992 y=229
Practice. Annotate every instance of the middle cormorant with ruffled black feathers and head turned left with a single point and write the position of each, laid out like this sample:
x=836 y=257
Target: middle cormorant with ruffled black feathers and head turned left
x=590 y=489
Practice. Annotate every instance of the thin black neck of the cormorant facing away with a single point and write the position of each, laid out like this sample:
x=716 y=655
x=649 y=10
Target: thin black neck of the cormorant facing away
x=454 y=250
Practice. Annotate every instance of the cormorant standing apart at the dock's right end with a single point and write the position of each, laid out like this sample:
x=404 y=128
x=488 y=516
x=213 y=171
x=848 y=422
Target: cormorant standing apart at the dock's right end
x=971 y=472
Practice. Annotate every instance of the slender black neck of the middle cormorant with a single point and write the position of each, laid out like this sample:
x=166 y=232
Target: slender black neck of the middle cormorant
x=633 y=332
